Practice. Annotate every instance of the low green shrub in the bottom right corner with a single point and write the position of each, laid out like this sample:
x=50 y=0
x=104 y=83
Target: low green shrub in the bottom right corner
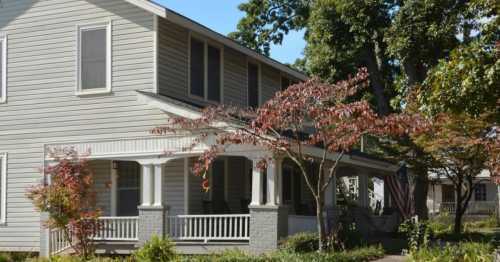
x=463 y=251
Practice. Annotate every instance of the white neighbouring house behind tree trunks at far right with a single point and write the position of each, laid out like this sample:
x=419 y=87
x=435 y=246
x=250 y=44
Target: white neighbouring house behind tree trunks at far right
x=441 y=196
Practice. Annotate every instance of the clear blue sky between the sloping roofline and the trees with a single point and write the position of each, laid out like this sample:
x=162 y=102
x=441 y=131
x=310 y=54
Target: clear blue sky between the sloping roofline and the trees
x=223 y=16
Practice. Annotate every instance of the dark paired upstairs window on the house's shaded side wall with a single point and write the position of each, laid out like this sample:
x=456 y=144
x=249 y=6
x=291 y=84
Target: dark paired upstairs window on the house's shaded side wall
x=205 y=72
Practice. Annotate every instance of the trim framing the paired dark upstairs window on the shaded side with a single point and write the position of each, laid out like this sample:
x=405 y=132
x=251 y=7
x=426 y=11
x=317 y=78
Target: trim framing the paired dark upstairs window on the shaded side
x=206 y=42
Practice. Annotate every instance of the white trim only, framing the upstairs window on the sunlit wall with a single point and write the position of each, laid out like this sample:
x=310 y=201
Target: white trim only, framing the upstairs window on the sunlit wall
x=106 y=25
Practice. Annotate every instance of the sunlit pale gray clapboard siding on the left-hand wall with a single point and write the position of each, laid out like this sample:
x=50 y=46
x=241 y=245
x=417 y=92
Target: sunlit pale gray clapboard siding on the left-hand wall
x=42 y=107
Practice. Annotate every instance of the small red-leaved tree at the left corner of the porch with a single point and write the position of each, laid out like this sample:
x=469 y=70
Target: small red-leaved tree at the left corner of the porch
x=69 y=199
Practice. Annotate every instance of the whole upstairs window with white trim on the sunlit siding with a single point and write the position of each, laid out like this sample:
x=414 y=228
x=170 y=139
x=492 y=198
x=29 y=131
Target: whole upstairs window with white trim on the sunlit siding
x=94 y=58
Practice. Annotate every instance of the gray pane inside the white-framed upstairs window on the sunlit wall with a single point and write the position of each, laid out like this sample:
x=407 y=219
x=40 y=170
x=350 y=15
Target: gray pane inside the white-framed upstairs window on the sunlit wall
x=93 y=56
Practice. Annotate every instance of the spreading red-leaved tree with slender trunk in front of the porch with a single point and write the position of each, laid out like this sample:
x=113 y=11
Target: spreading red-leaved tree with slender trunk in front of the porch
x=307 y=115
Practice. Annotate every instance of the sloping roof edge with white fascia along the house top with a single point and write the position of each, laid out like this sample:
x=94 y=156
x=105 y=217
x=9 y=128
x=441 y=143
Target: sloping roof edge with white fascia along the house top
x=179 y=19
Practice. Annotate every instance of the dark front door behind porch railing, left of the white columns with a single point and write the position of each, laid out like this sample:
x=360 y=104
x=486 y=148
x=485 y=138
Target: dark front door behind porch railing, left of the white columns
x=128 y=188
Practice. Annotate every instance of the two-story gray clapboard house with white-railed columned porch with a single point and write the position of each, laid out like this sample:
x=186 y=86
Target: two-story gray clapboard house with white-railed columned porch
x=98 y=75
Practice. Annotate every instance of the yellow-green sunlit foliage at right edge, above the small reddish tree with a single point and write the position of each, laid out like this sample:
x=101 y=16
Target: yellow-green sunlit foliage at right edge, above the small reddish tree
x=468 y=80
